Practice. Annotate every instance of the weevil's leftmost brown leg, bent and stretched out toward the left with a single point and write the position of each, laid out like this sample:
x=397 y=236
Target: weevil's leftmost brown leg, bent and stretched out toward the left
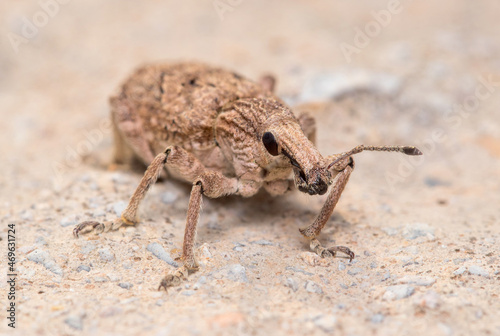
x=189 y=166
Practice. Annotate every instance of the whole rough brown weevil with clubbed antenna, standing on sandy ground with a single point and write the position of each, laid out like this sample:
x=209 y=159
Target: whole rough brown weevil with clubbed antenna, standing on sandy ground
x=226 y=135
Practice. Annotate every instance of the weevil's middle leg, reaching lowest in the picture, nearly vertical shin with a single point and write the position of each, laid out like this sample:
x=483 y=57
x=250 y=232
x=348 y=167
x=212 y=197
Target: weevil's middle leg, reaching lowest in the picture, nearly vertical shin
x=211 y=184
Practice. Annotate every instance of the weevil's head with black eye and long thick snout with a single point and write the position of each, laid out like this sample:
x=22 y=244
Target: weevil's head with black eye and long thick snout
x=281 y=135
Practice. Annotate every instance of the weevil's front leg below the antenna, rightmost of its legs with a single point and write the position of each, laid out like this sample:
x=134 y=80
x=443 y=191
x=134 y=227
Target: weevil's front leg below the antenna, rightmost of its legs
x=313 y=230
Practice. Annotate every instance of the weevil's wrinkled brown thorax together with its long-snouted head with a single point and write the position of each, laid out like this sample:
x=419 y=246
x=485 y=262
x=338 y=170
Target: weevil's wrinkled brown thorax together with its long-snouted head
x=239 y=131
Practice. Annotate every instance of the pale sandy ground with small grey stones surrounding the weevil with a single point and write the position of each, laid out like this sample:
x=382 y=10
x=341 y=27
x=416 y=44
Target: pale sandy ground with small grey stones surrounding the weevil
x=426 y=231
